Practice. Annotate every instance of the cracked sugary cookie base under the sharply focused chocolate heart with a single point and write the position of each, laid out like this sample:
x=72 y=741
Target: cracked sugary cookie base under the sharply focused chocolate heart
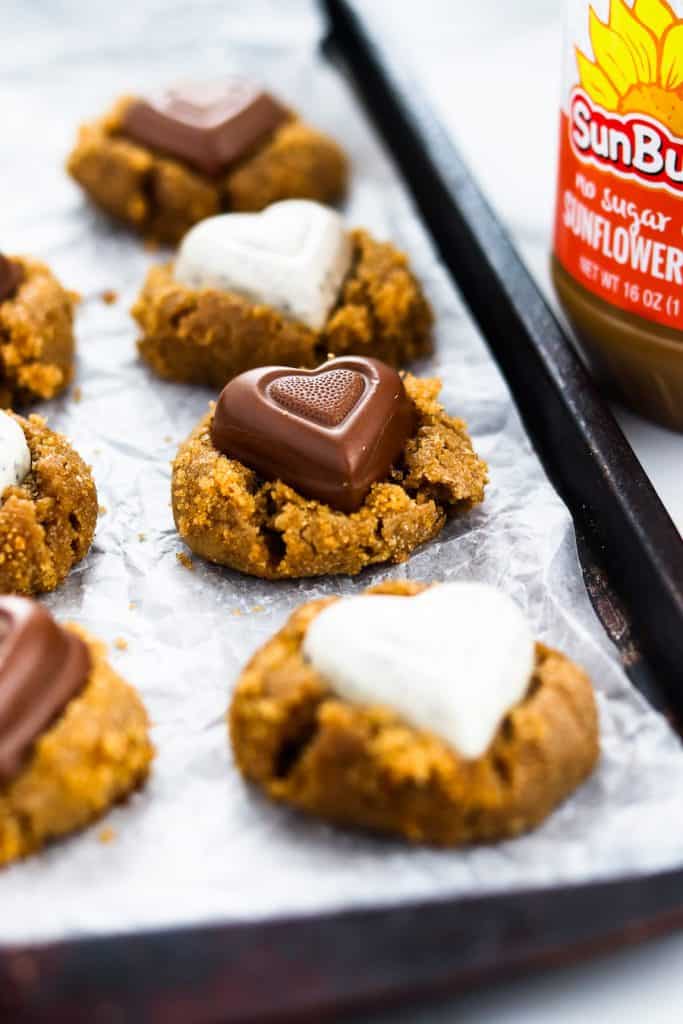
x=230 y=515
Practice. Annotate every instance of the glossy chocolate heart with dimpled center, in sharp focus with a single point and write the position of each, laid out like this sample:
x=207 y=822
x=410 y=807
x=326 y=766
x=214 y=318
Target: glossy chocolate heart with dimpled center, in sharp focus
x=330 y=434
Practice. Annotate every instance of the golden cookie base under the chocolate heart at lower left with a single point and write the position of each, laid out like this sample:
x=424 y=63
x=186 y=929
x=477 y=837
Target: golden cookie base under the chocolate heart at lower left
x=92 y=757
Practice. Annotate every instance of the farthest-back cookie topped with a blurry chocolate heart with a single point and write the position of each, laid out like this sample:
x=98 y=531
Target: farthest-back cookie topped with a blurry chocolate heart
x=163 y=163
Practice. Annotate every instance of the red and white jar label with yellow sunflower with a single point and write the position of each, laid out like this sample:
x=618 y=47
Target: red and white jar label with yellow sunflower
x=620 y=211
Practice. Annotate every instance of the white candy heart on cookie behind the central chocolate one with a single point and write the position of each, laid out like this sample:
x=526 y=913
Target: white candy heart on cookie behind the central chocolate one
x=293 y=257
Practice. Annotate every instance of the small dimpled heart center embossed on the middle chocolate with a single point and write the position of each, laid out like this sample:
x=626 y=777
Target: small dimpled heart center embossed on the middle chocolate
x=326 y=399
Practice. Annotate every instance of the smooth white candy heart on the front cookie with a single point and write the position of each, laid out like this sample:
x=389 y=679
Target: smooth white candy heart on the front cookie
x=453 y=661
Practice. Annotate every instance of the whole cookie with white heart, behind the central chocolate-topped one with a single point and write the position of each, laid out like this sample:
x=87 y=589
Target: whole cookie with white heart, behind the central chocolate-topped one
x=290 y=286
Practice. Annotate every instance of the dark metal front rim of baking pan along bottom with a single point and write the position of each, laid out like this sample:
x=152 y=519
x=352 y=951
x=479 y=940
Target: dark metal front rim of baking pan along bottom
x=324 y=967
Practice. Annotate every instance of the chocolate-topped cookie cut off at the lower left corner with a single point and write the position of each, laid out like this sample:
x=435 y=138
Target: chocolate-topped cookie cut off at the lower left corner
x=74 y=737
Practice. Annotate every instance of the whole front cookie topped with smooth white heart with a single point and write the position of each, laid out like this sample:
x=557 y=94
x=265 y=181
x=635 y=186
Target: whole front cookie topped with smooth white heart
x=365 y=764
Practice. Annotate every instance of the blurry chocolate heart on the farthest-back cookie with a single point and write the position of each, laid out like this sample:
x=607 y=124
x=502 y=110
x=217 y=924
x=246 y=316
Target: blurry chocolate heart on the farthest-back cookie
x=208 y=124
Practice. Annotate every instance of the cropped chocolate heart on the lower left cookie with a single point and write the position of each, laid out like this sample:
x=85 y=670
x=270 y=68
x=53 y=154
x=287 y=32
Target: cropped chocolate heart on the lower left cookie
x=42 y=667
